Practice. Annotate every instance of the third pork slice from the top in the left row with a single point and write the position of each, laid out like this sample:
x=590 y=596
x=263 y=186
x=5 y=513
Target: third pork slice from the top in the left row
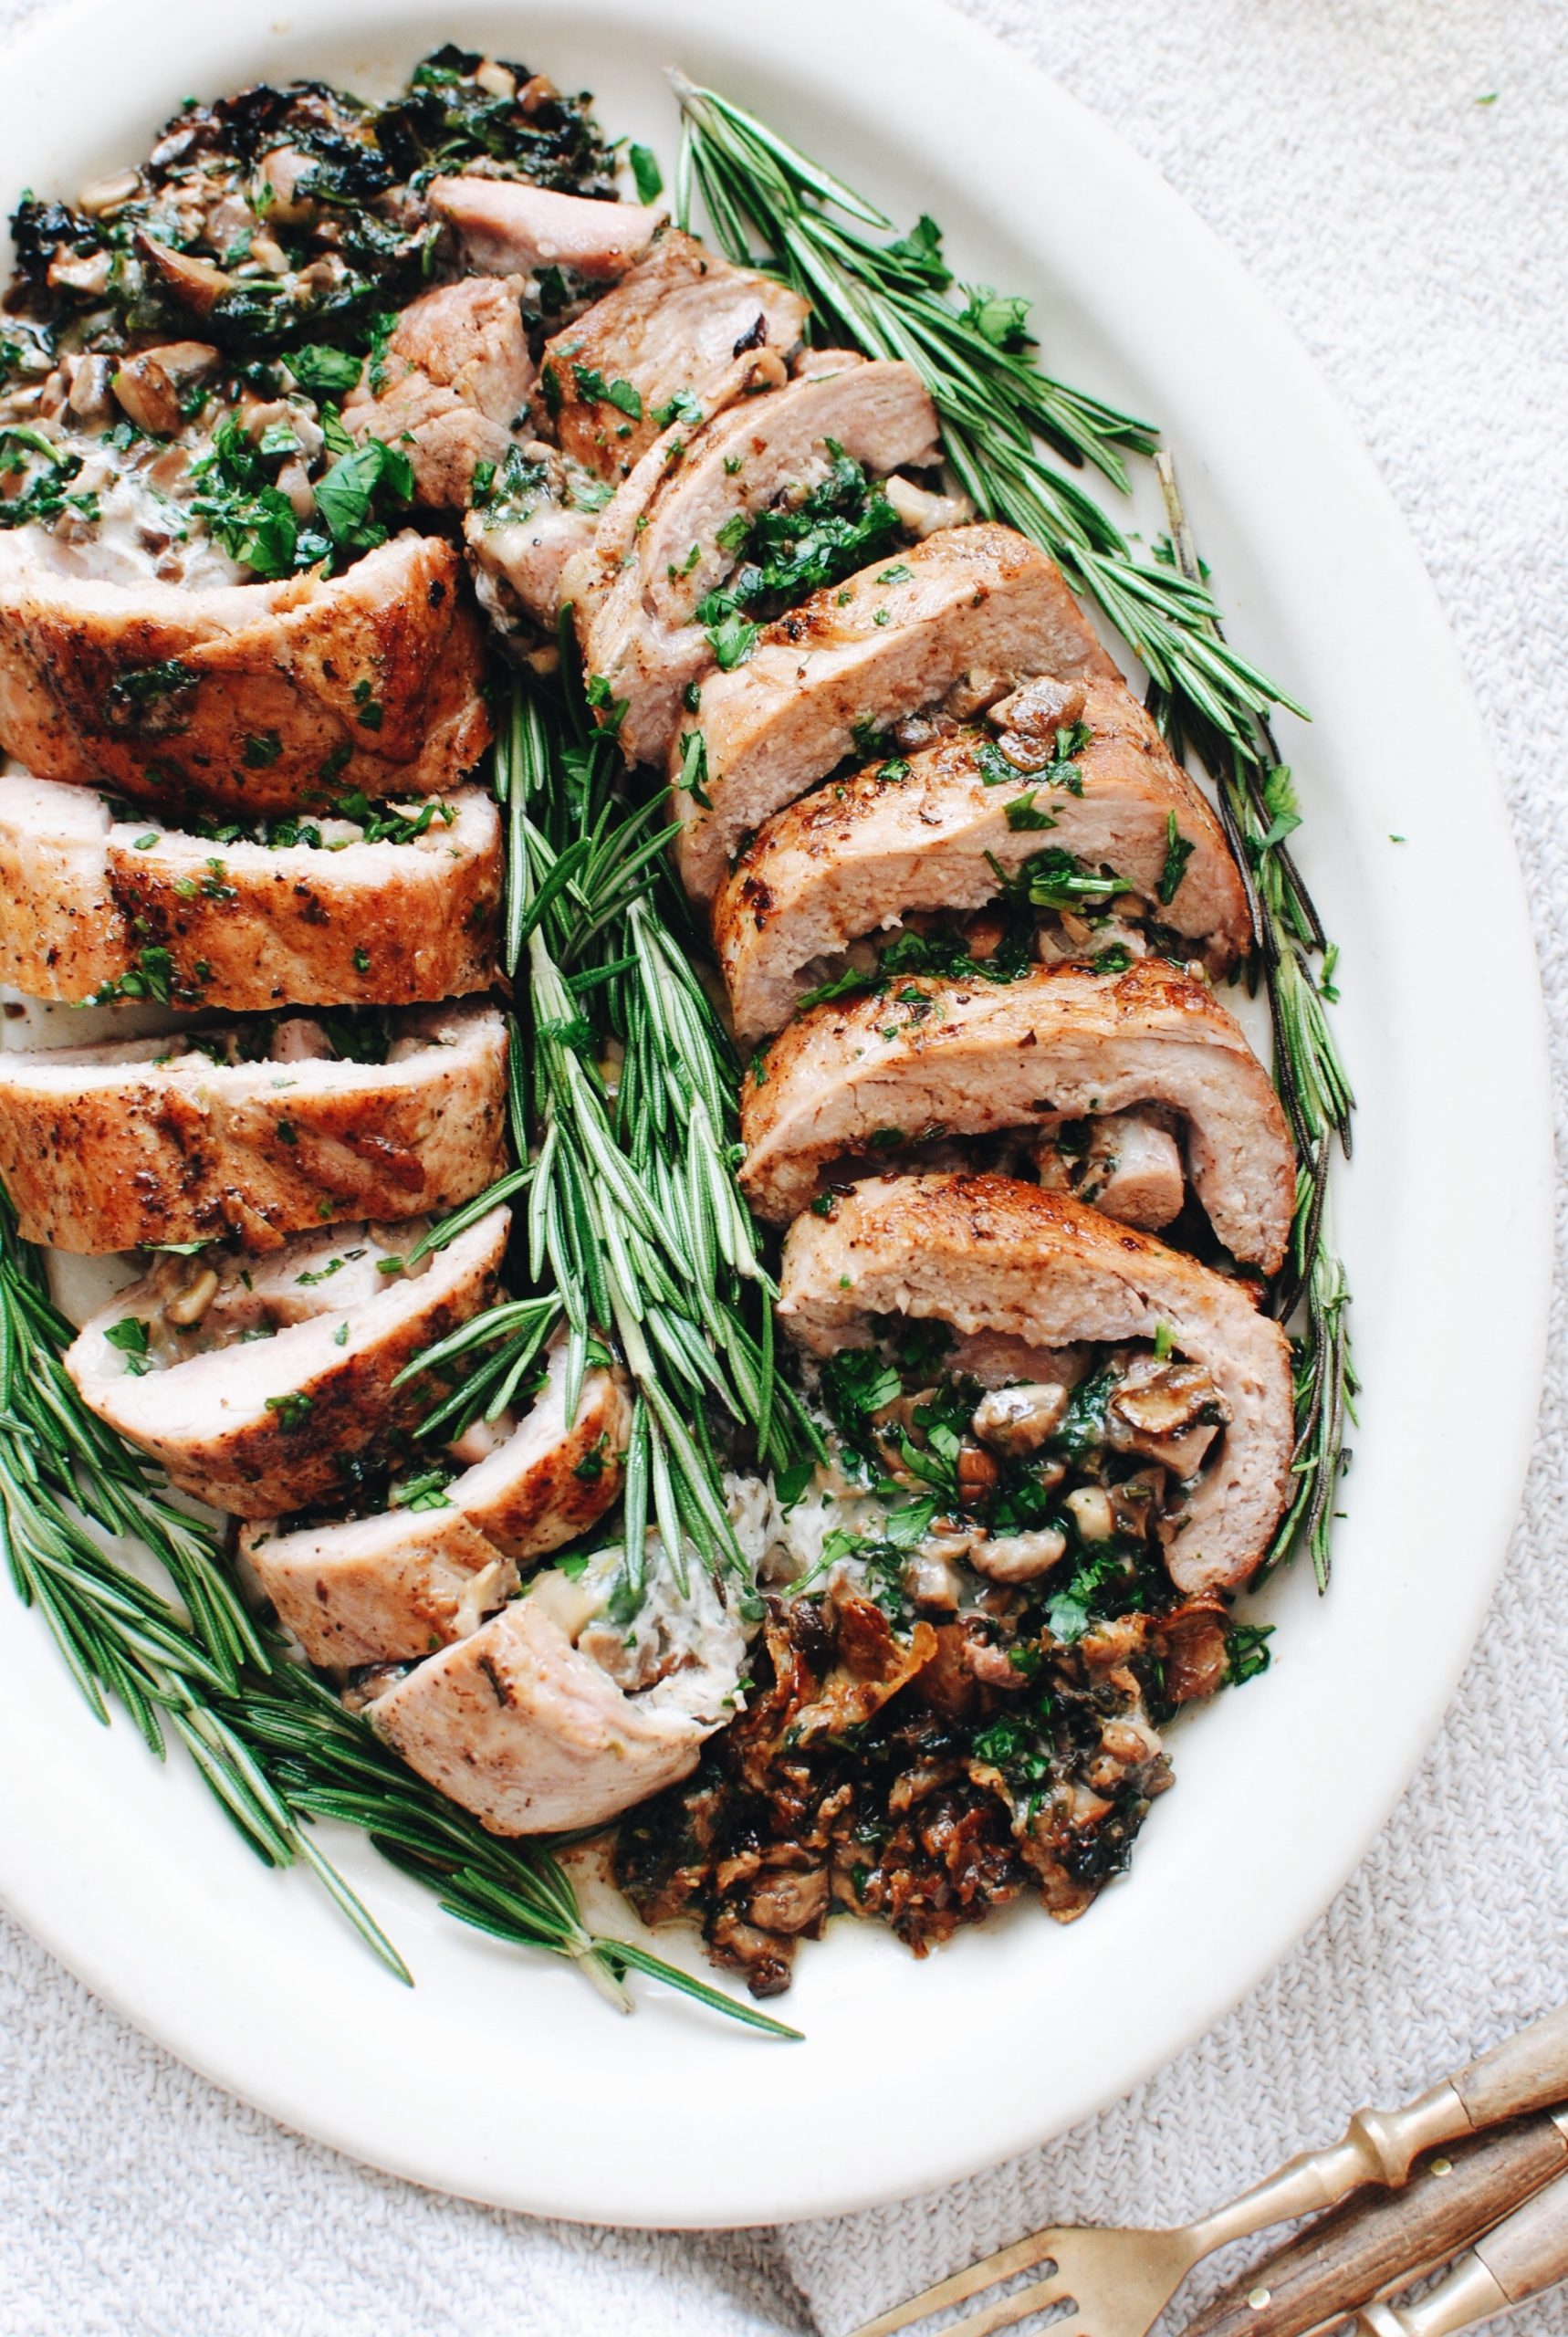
x=151 y=1142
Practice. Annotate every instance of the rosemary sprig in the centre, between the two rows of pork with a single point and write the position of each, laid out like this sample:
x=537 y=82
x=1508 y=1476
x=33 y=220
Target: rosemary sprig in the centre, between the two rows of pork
x=627 y=1116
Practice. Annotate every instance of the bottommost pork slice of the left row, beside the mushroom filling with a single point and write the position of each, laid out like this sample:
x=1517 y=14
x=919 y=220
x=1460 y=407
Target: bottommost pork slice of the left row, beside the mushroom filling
x=548 y=1719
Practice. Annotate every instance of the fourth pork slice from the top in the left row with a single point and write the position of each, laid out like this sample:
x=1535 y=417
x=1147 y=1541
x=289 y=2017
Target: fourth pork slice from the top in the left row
x=270 y=1387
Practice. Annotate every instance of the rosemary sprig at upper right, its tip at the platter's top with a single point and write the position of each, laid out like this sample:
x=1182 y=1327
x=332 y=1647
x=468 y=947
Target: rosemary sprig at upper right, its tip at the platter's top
x=891 y=298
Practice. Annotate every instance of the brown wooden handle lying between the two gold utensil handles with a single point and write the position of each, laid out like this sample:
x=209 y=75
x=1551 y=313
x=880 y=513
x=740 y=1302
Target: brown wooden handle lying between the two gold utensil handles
x=1380 y=2240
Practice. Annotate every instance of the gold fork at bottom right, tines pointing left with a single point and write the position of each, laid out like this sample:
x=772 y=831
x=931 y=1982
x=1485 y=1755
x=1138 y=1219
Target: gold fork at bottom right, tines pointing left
x=1121 y=2282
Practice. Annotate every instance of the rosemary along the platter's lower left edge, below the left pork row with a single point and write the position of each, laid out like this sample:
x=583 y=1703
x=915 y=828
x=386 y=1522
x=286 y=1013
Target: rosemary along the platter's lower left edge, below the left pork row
x=270 y=1742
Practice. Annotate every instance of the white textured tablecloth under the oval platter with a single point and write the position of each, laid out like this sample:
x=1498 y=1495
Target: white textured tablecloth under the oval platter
x=1420 y=244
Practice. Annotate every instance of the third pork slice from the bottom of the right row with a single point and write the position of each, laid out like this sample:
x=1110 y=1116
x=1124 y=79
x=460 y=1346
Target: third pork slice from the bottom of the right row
x=929 y=835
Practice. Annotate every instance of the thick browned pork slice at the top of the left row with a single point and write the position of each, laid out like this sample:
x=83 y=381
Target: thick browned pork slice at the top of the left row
x=254 y=698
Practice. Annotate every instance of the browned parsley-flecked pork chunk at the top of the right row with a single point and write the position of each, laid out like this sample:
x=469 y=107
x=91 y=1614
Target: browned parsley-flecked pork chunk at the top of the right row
x=679 y=321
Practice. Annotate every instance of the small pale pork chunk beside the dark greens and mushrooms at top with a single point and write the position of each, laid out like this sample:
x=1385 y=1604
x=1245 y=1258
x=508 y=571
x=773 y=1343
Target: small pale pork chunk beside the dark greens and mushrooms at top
x=452 y=387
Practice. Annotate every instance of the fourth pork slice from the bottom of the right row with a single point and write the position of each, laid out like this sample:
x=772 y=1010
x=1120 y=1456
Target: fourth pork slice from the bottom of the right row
x=969 y=609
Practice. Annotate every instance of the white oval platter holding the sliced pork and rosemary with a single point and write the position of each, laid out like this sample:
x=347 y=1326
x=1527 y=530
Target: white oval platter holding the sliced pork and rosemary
x=504 y=2076
